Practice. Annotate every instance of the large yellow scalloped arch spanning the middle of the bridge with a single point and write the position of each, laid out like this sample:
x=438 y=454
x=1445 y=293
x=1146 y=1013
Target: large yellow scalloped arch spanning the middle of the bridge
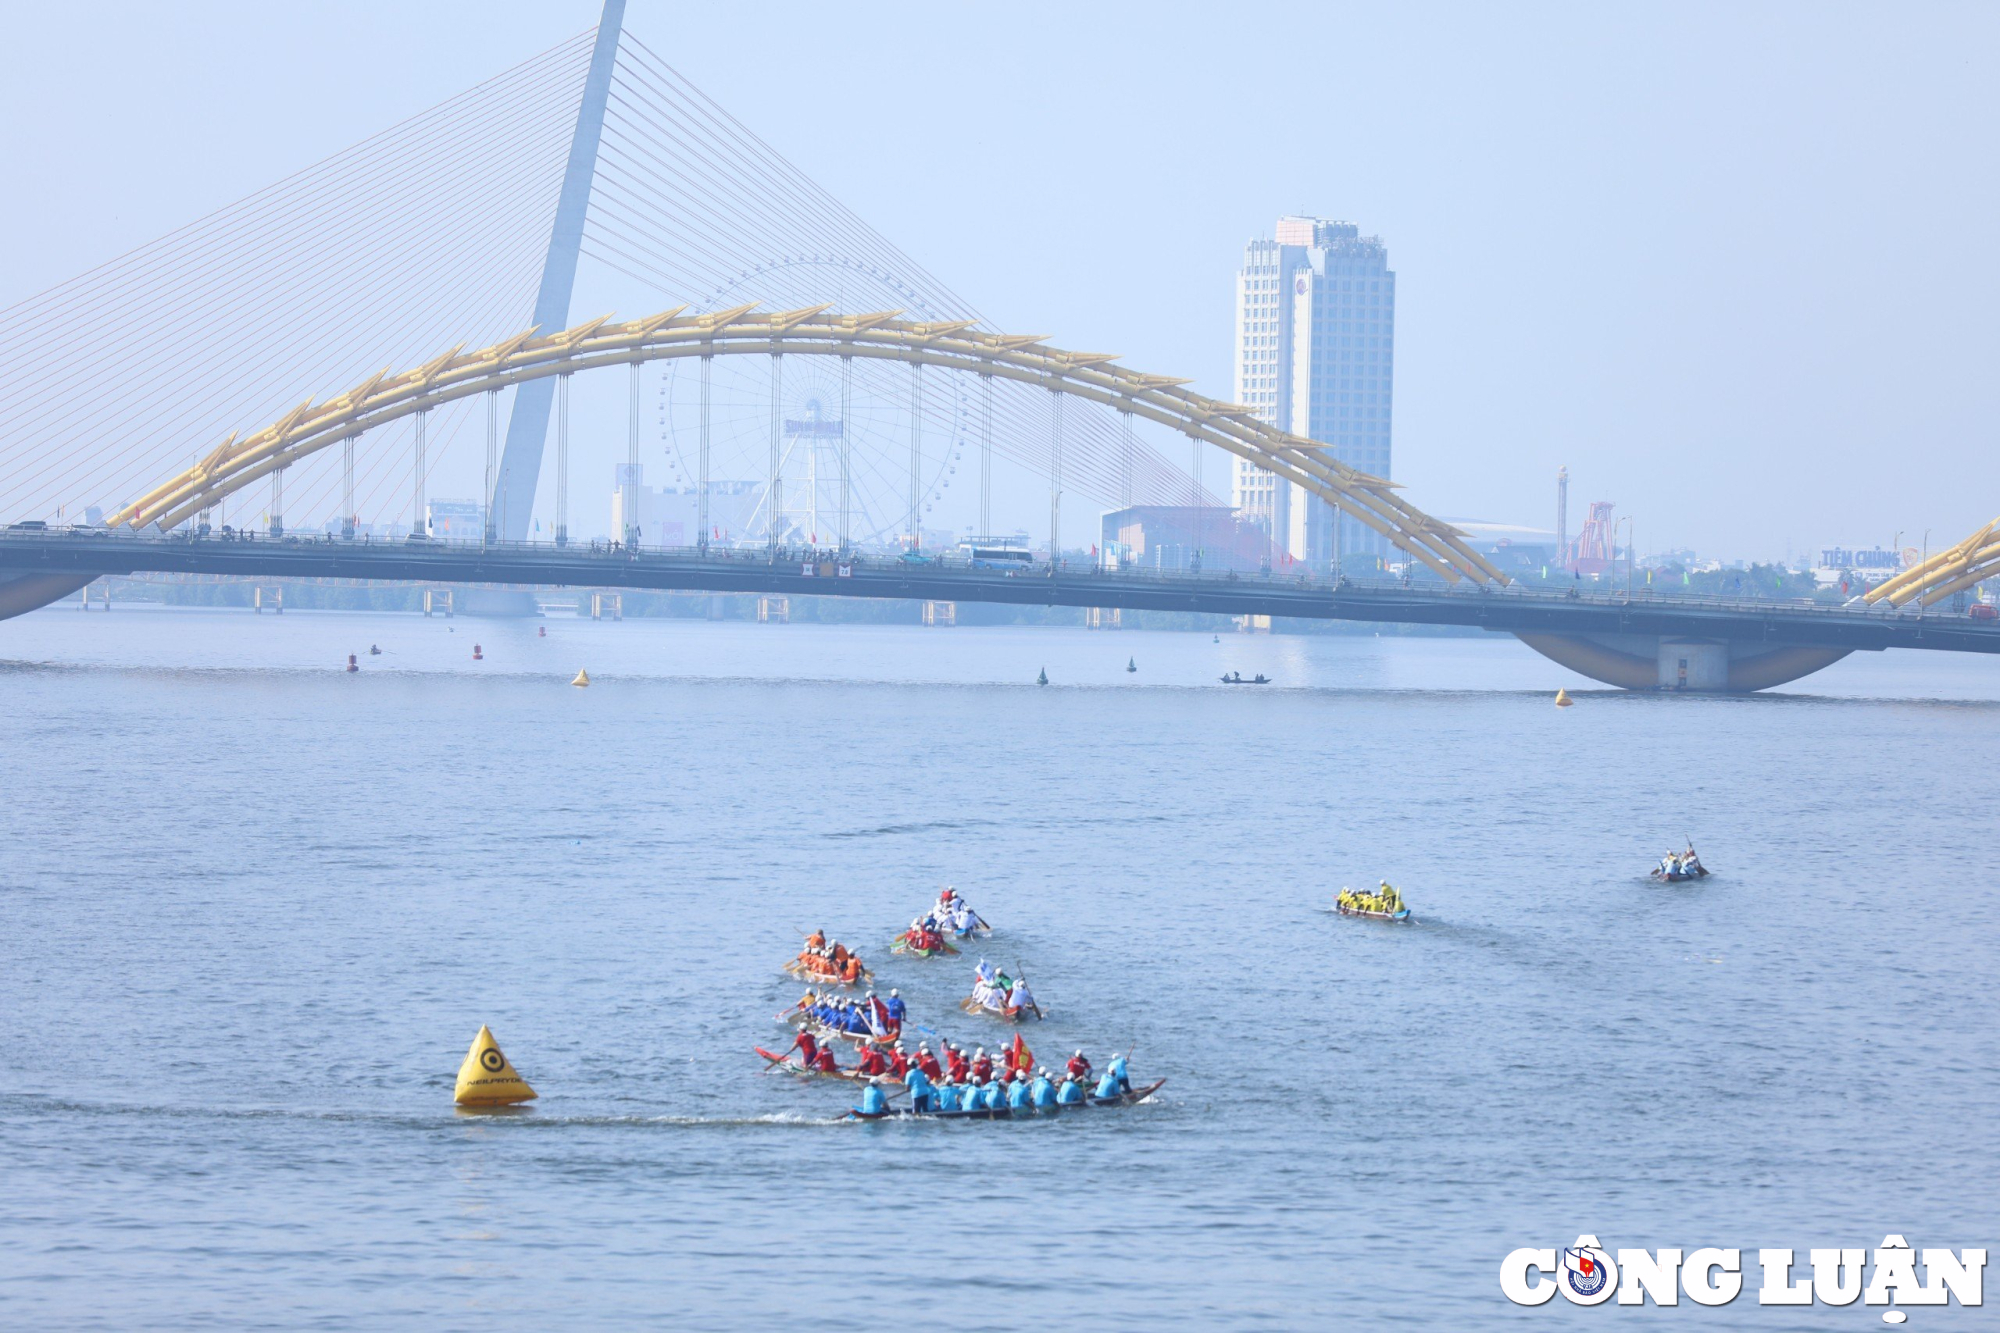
x=813 y=331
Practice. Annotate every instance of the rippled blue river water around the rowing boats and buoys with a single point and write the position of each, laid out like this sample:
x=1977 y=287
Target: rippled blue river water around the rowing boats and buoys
x=253 y=910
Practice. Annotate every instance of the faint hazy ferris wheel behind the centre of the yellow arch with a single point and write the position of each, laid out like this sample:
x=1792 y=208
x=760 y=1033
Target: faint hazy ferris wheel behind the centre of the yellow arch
x=815 y=449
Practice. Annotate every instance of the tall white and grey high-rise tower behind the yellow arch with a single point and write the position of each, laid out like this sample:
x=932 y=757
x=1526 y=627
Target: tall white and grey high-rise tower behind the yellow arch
x=1315 y=355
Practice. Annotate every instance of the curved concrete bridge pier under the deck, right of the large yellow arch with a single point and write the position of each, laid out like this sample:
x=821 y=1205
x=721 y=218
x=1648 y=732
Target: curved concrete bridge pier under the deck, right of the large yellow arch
x=1683 y=665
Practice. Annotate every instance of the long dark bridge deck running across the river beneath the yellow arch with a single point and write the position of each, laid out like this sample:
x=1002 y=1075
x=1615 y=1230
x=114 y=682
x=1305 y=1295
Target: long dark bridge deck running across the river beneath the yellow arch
x=947 y=579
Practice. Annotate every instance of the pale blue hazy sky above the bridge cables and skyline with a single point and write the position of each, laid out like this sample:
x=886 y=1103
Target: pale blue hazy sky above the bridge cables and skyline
x=1733 y=265
